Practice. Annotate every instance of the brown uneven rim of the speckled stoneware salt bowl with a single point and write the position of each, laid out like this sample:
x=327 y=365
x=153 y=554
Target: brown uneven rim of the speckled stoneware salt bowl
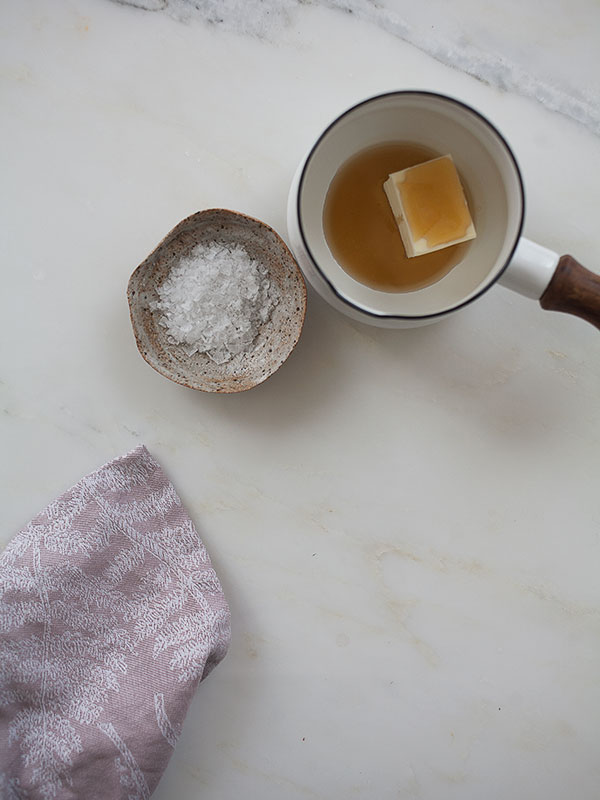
x=130 y=301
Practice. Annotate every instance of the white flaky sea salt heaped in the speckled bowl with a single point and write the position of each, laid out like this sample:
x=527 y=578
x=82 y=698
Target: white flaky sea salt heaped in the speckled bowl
x=215 y=300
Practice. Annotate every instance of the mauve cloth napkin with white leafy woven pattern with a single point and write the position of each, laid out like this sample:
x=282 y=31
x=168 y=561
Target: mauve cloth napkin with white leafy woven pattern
x=110 y=614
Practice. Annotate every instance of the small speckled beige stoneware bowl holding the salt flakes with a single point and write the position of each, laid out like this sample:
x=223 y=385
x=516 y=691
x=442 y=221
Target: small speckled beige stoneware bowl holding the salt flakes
x=276 y=337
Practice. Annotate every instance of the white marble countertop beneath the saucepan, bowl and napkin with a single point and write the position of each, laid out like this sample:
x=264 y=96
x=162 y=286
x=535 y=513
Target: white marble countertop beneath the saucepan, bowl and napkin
x=406 y=523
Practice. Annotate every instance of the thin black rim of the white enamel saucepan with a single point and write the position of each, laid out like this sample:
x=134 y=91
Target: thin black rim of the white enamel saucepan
x=464 y=303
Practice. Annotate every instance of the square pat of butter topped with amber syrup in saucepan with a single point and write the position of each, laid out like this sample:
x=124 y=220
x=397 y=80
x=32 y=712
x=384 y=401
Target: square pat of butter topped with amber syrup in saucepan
x=429 y=206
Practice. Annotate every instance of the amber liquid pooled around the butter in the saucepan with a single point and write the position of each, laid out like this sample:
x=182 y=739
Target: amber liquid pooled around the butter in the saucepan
x=361 y=230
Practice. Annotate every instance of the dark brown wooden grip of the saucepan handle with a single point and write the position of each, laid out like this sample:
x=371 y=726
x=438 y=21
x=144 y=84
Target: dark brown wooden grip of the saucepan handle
x=573 y=289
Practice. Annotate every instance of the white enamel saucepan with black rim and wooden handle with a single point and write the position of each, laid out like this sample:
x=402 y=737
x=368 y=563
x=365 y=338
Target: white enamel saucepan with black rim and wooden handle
x=489 y=169
